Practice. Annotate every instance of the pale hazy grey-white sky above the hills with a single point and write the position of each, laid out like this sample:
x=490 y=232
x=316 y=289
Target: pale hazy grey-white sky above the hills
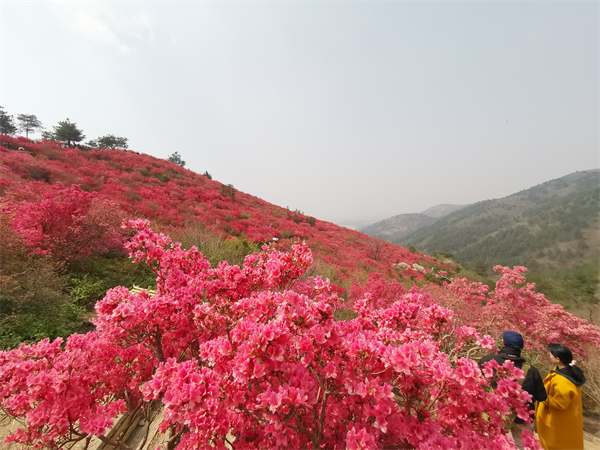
x=343 y=110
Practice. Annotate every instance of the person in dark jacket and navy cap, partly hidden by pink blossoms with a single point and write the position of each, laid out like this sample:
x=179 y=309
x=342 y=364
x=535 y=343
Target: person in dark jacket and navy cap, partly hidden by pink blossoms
x=532 y=384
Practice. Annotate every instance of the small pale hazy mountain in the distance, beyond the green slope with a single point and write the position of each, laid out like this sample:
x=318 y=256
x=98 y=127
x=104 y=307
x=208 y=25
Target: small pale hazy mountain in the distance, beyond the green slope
x=397 y=227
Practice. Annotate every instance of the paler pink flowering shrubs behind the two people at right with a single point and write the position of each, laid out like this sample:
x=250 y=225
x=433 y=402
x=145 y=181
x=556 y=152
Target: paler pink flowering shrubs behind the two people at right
x=512 y=305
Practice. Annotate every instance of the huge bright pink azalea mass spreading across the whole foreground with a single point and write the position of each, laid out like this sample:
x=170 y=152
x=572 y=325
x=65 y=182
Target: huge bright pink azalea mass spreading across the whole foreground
x=251 y=357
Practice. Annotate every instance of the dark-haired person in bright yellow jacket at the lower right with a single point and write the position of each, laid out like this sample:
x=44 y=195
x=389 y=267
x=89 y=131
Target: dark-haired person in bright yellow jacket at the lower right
x=559 y=419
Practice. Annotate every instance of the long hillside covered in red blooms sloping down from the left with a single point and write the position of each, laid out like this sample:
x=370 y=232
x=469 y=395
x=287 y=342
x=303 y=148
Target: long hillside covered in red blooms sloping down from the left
x=175 y=198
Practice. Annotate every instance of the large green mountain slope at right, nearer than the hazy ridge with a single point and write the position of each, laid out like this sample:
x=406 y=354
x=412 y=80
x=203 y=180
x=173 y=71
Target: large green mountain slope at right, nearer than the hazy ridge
x=550 y=225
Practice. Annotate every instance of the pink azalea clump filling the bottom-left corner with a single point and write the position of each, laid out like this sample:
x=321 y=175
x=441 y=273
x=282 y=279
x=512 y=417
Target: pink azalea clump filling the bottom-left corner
x=67 y=394
